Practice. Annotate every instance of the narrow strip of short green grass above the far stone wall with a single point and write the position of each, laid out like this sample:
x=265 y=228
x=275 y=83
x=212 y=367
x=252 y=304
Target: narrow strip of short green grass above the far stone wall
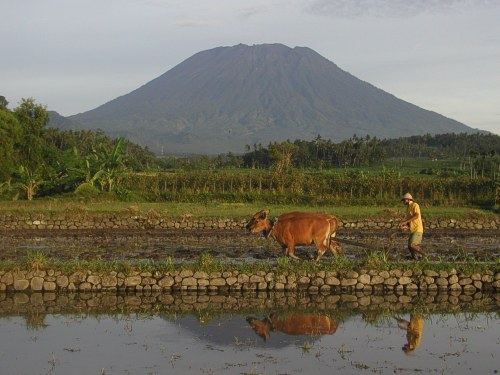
x=67 y=206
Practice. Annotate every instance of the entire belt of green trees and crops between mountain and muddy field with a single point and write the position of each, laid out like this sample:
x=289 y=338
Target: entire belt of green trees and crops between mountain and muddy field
x=451 y=170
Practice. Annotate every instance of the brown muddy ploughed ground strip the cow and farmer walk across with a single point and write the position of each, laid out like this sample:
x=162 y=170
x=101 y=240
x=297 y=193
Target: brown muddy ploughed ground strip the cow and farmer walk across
x=235 y=245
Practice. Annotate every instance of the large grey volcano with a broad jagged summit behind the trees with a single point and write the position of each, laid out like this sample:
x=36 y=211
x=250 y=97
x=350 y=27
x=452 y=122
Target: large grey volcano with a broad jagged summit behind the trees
x=222 y=99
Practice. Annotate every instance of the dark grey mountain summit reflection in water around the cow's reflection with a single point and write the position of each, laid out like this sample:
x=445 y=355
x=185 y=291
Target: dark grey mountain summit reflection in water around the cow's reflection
x=234 y=330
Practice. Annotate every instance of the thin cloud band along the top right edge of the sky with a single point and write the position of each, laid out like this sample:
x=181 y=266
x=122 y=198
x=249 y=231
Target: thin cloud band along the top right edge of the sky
x=392 y=8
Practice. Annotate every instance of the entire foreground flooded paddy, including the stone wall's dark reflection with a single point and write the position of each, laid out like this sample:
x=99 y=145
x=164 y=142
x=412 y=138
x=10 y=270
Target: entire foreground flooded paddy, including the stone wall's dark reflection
x=248 y=334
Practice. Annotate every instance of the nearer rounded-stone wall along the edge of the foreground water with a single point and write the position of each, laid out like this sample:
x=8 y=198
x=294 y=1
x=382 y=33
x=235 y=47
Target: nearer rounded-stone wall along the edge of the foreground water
x=331 y=282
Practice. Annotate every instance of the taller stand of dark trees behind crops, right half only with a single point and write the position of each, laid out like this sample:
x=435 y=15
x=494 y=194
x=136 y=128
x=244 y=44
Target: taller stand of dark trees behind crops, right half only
x=364 y=151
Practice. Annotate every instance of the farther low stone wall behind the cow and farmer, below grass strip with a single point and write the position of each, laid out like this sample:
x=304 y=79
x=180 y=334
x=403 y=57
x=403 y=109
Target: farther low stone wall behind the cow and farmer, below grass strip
x=153 y=221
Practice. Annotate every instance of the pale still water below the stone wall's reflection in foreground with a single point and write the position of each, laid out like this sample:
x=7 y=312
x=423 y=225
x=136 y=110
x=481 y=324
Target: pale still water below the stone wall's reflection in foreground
x=295 y=342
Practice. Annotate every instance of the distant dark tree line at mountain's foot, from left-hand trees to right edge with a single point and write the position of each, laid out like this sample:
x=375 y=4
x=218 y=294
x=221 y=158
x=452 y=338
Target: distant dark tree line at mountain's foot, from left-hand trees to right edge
x=478 y=154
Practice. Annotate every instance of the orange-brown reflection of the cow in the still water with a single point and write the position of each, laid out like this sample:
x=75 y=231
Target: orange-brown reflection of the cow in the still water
x=294 y=324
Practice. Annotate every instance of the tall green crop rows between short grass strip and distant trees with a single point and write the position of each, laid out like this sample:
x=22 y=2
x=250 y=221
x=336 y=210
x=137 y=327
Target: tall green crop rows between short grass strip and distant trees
x=313 y=188
